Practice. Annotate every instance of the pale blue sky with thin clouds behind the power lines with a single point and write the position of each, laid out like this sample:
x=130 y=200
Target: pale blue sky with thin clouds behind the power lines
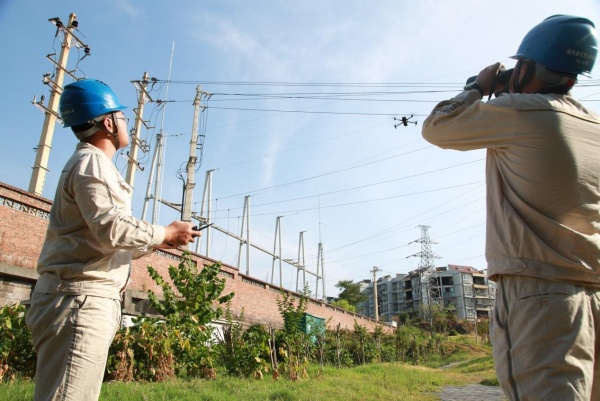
x=301 y=117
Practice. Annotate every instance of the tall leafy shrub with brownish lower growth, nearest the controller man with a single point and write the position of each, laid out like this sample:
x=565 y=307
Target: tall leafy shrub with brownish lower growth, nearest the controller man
x=180 y=342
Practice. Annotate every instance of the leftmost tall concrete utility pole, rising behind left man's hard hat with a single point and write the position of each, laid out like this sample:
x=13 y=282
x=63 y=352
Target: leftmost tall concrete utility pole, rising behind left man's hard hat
x=55 y=82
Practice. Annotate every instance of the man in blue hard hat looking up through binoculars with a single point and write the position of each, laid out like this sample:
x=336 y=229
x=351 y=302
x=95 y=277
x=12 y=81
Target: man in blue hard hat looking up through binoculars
x=543 y=209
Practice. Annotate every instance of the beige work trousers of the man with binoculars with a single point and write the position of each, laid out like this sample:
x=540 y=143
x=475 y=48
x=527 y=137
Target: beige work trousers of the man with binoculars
x=545 y=338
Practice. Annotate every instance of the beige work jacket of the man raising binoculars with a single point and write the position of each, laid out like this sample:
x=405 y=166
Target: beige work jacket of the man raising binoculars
x=543 y=180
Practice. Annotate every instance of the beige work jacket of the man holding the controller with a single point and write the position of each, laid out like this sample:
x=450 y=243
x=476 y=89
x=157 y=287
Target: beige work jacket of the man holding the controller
x=92 y=235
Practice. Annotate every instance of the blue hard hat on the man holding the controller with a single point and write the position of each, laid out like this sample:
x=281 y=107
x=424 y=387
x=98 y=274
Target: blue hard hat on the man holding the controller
x=85 y=100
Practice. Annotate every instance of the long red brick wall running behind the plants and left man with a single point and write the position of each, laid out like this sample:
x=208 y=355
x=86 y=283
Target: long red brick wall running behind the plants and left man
x=23 y=223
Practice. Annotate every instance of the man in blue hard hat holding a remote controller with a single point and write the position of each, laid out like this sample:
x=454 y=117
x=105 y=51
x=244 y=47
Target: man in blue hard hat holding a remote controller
x=91 y=239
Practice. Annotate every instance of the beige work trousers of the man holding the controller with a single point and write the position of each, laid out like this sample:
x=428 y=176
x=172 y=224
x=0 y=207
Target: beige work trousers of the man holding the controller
x=71 y=335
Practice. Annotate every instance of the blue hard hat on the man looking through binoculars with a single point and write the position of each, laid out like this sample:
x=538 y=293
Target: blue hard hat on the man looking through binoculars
x=562 y=43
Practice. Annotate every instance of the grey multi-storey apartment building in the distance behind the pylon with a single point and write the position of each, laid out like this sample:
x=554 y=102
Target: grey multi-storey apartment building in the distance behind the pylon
x=463 y=288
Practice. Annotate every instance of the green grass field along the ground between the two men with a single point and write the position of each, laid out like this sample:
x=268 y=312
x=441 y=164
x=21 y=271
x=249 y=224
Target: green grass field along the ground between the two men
x=388 y=381
